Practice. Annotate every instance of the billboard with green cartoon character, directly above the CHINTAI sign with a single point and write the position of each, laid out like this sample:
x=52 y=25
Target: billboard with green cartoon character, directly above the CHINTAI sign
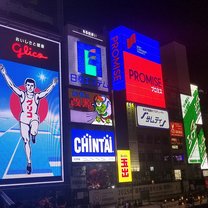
x=91 y=108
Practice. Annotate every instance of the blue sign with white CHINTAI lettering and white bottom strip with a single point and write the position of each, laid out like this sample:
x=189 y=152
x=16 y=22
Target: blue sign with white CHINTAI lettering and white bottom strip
x=92 y=146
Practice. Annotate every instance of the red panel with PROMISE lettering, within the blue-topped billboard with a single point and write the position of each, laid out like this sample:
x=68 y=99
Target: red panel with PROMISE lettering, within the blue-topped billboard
x=144 y=83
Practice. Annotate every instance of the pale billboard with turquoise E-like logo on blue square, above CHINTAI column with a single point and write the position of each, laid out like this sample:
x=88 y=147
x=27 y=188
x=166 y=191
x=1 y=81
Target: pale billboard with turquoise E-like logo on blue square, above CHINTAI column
x=87 y=64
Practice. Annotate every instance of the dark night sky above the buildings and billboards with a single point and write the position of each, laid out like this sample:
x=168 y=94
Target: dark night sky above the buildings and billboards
x=184 y=21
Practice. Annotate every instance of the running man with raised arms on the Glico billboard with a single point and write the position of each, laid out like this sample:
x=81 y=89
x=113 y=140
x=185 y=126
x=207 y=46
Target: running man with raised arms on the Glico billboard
x=29 y=119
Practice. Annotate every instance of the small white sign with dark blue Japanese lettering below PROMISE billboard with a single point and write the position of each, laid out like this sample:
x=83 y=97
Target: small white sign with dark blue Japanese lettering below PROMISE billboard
x=152 y=117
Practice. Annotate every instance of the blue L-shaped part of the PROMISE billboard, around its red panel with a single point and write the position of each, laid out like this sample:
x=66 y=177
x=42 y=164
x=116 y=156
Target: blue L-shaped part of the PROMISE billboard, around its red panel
x=122 y=40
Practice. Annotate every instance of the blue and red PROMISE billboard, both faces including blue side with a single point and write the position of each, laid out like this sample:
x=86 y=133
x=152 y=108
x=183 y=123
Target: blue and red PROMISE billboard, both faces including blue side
x=136 y=67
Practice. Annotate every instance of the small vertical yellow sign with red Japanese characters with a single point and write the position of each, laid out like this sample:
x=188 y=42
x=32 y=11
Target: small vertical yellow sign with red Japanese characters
x=124 y=166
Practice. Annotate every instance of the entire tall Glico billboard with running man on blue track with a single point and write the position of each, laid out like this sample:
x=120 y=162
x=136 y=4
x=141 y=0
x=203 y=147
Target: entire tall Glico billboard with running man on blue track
x=30 y=109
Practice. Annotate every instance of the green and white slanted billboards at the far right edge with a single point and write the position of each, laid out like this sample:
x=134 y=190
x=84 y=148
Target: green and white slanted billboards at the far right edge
x=195 y=140
